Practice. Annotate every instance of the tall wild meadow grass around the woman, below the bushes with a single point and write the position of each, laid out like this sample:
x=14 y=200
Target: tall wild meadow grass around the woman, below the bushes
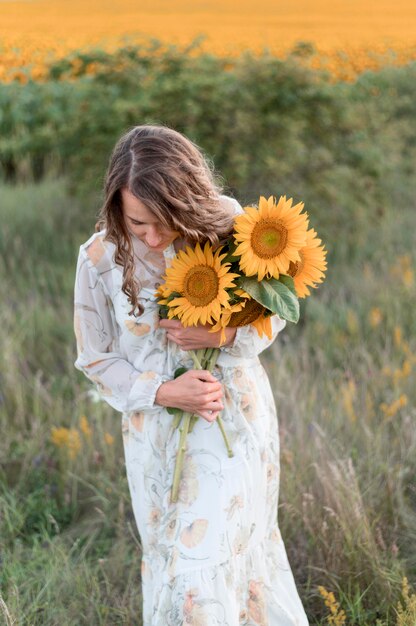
x=343 y=383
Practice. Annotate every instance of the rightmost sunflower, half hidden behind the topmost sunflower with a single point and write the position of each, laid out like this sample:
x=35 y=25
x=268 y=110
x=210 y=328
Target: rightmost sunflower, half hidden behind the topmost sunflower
x=311 y=268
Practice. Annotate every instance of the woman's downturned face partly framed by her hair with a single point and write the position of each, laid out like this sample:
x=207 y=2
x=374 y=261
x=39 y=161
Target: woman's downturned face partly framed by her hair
x=143 y=224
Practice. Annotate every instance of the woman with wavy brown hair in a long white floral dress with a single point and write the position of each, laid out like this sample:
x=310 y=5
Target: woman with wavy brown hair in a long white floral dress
x=216 y=556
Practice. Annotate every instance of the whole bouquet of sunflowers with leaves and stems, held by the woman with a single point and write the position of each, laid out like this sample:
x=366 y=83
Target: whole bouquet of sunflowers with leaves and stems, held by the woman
x=269 y=261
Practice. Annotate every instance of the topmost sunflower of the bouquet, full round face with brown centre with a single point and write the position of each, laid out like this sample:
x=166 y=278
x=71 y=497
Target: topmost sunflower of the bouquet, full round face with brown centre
x=270 y=237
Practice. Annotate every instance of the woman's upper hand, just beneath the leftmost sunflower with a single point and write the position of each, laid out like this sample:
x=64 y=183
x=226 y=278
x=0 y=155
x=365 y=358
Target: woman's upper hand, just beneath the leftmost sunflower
x=195 y=337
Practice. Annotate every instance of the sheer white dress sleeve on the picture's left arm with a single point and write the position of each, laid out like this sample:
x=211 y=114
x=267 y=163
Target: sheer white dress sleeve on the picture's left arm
x=119 y=383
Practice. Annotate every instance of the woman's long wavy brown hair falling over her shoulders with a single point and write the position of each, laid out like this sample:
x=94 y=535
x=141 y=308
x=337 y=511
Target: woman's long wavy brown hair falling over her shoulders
x=175 y=180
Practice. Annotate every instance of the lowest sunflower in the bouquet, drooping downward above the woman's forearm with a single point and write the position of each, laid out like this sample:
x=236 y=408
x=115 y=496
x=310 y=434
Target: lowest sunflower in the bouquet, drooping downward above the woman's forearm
x=247 y=311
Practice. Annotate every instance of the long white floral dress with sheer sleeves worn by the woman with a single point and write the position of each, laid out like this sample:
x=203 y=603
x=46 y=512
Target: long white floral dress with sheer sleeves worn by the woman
x=216 y=557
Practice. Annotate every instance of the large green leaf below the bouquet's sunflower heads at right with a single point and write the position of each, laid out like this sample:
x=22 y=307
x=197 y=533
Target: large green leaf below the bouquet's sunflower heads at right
x=273 y=295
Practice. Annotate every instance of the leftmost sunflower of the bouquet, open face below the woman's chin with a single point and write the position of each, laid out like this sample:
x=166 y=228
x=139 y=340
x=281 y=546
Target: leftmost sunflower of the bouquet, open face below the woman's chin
x=201 y=279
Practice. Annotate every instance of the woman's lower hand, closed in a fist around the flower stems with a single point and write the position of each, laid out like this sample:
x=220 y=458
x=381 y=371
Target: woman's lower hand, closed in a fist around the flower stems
x=195 y=391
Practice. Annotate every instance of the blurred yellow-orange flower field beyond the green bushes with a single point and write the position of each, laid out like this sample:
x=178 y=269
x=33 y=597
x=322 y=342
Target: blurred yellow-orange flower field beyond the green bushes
x=349 y=37
